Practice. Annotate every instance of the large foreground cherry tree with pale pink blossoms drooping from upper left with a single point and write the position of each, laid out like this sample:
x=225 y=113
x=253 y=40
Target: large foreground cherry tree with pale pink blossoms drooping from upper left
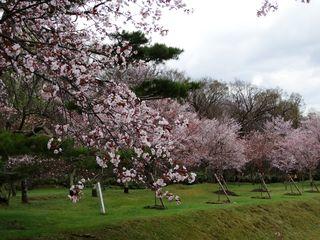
x=62 y=43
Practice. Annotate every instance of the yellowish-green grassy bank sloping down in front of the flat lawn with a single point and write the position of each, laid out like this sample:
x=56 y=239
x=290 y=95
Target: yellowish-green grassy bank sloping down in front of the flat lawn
x=294 y=220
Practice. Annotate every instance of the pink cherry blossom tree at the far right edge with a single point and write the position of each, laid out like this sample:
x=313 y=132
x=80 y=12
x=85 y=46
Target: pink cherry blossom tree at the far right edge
x=296 y=150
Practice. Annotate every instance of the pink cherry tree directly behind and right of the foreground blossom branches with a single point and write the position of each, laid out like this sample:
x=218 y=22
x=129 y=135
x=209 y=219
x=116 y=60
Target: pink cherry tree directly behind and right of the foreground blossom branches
x=217 y=143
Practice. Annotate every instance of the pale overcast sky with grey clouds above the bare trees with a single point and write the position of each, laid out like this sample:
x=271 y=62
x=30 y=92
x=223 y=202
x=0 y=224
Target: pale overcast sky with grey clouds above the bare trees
x=225 y=40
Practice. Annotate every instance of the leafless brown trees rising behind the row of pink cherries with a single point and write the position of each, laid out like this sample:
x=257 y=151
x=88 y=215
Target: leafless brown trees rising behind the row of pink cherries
x=249 y=105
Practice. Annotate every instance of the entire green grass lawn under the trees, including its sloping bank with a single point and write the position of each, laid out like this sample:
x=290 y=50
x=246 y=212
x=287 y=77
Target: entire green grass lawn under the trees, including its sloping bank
x=50 y=215
